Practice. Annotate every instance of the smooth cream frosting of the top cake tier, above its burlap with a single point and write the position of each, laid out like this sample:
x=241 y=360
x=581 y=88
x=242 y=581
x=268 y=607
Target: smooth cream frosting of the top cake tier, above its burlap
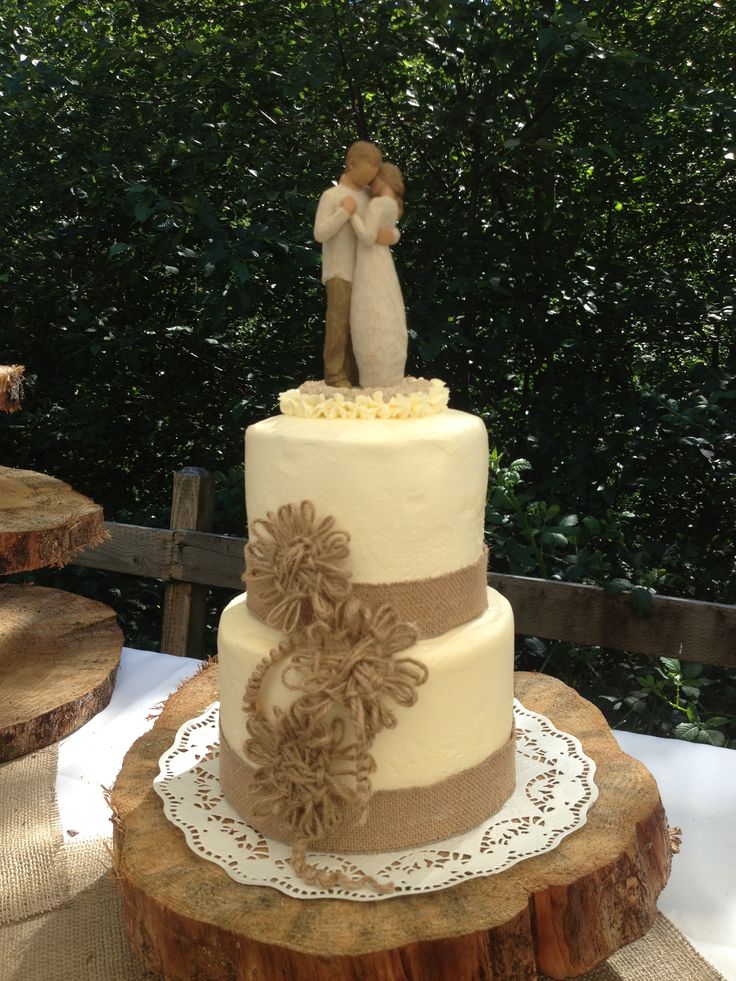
x=410 y=492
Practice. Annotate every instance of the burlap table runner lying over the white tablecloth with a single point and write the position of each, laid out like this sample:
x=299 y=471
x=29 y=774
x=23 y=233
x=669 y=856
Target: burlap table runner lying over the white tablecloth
x=60 y=916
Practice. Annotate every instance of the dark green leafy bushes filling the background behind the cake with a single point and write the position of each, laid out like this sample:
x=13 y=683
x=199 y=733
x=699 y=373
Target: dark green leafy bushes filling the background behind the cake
x=567 y=262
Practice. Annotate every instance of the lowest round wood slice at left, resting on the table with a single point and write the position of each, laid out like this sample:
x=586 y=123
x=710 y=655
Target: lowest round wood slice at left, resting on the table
x=58 y=657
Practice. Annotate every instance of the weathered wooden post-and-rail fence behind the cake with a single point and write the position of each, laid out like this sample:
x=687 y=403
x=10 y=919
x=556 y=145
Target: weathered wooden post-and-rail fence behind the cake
x=189 y=559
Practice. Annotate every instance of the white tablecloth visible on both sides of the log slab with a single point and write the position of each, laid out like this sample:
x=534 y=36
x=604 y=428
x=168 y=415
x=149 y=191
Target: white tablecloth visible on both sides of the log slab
x=697 y=784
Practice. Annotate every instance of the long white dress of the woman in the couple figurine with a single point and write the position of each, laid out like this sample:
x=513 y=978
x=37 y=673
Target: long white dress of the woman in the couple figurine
x=377 y=314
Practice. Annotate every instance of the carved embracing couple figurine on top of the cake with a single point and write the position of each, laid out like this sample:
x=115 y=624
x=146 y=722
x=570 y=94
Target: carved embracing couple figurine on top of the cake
x=365 y=322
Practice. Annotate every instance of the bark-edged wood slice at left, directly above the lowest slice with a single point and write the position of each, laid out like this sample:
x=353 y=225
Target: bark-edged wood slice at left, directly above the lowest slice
x=43 y=522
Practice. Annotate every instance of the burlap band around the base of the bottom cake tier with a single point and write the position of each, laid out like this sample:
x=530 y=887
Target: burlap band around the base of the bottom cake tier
x=396 y=818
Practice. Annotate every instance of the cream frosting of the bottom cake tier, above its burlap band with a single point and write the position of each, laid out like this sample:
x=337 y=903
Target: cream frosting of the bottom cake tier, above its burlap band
x=463 y=712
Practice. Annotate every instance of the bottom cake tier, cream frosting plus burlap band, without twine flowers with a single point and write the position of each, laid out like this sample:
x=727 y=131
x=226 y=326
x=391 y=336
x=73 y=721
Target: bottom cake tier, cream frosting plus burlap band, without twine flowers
x=446 y=765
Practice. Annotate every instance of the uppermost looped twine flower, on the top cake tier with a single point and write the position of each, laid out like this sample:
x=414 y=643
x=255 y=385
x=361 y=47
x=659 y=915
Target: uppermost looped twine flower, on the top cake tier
x=292 y=562
